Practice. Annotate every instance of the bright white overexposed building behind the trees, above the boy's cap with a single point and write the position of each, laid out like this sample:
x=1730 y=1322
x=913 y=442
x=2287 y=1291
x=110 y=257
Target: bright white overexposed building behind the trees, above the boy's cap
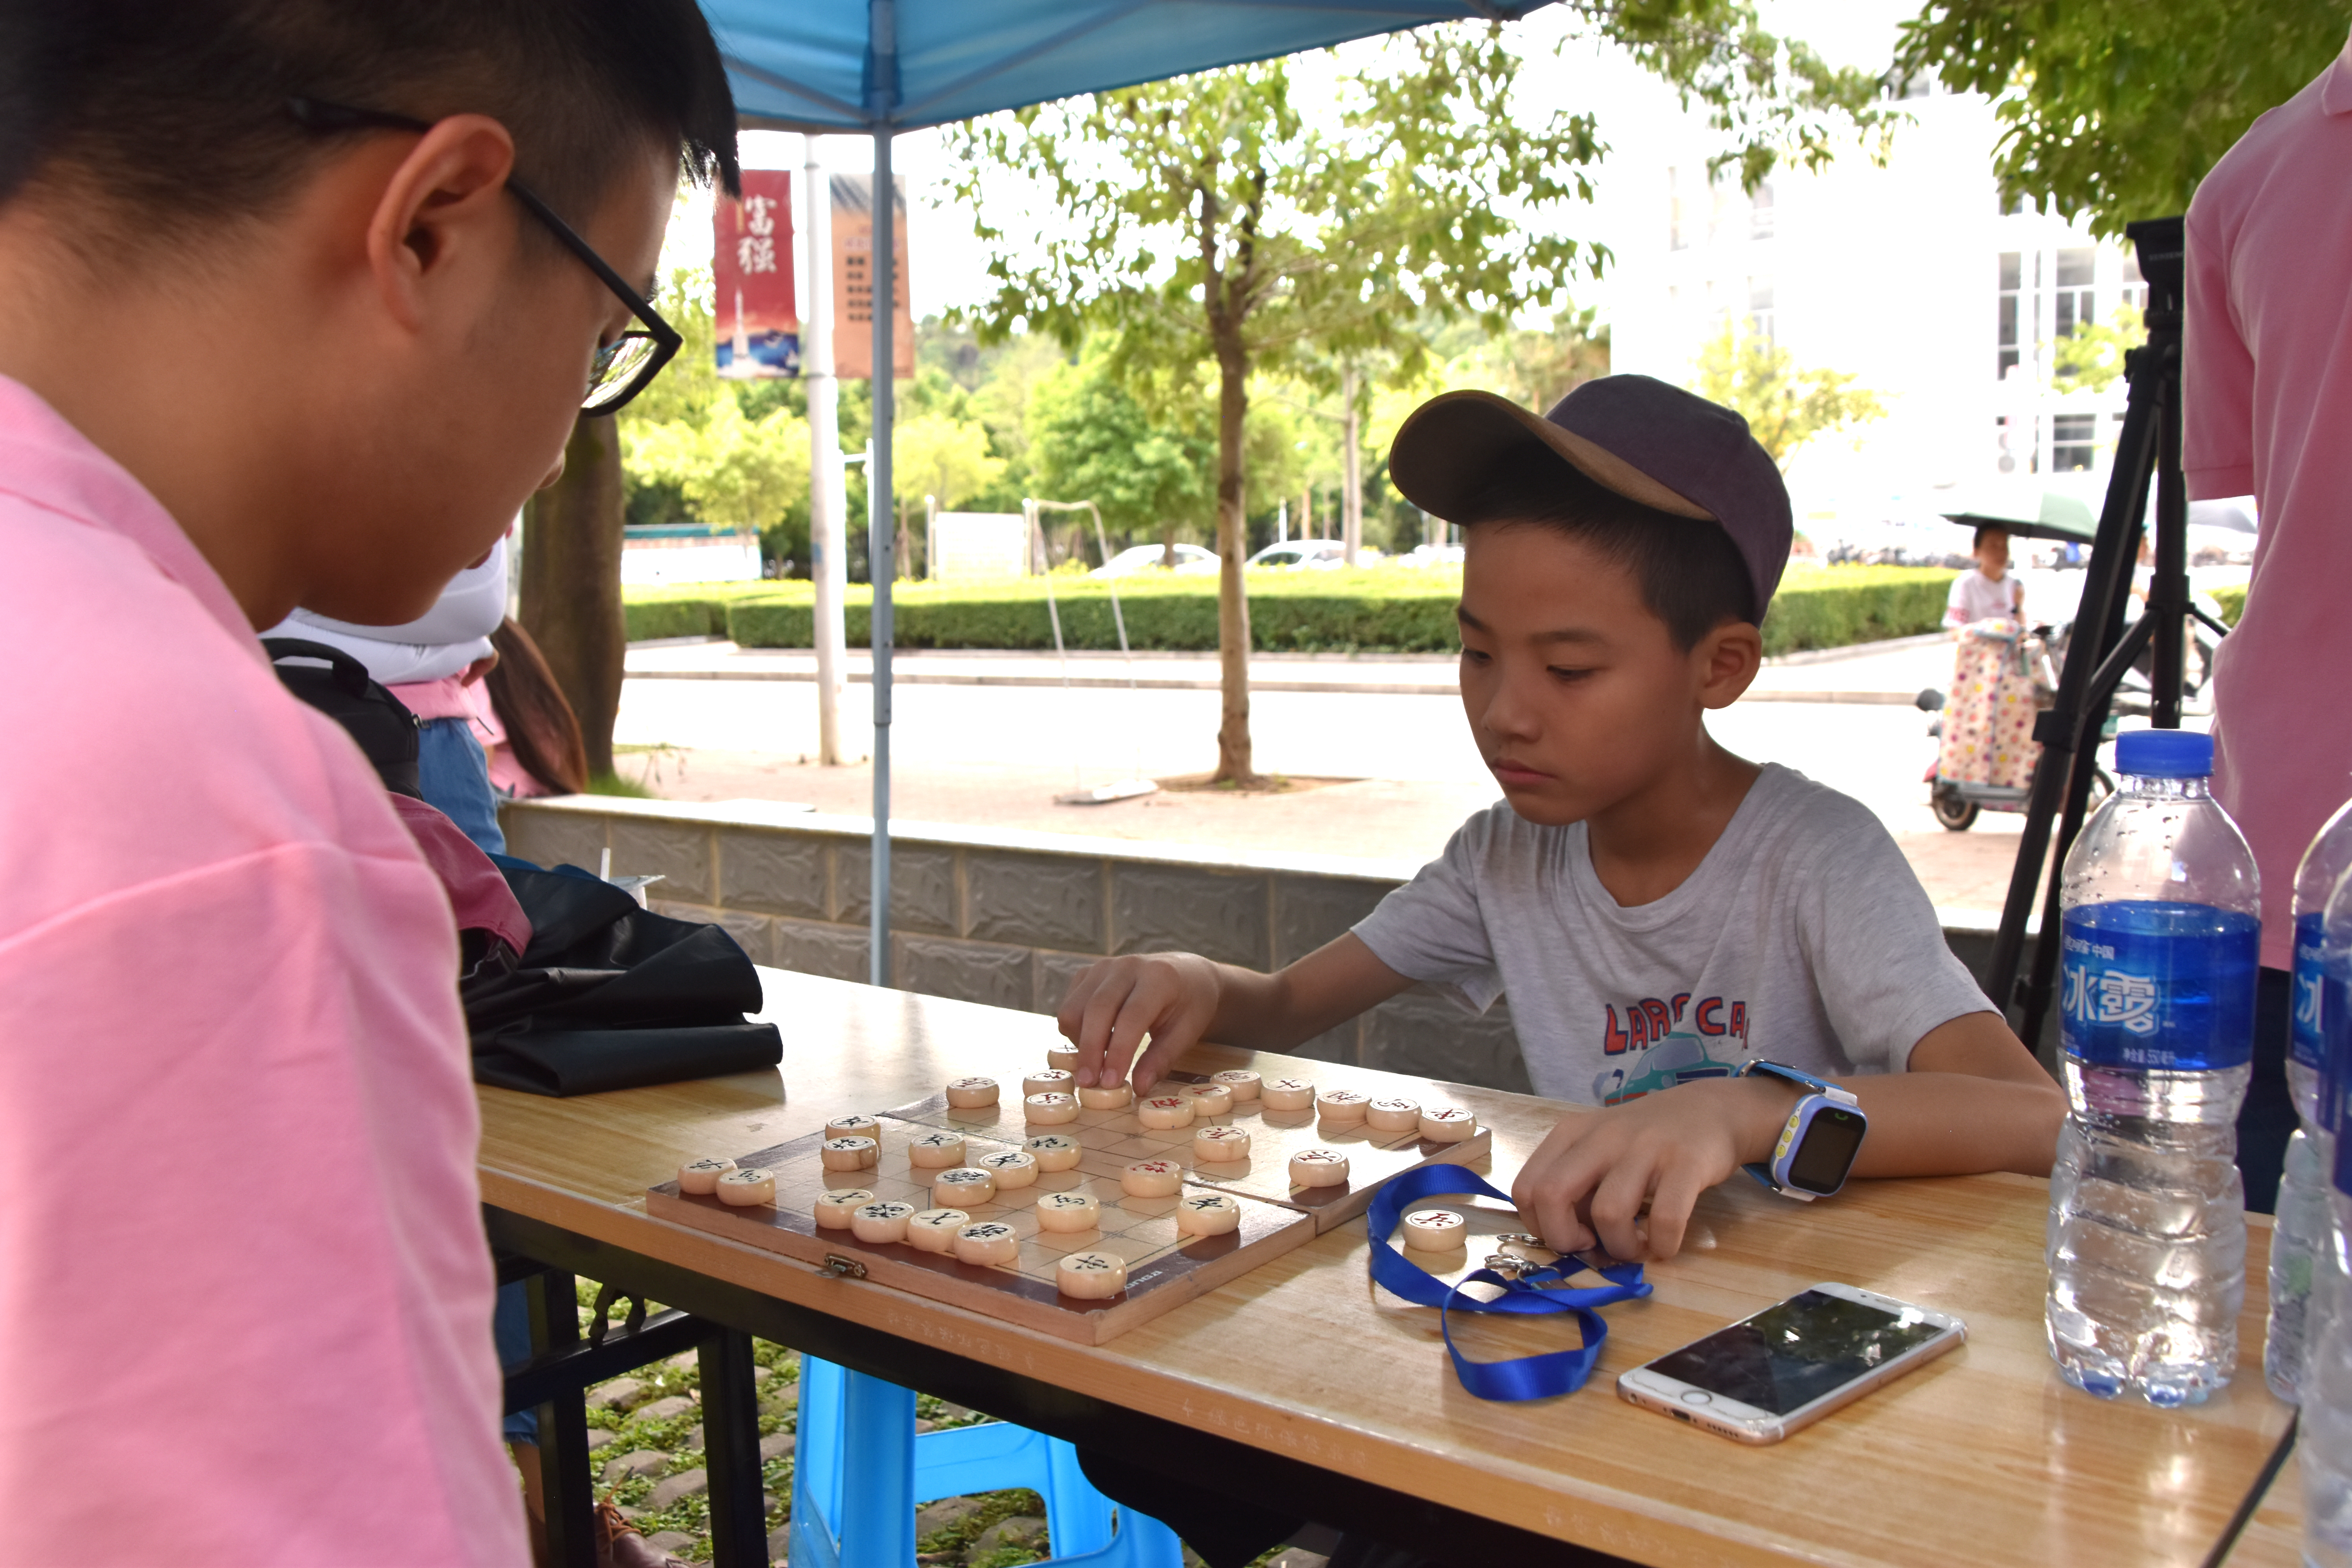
x=1904 y=274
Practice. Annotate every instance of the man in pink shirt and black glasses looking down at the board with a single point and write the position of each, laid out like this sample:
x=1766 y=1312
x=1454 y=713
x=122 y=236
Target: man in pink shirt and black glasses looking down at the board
x=300 y=302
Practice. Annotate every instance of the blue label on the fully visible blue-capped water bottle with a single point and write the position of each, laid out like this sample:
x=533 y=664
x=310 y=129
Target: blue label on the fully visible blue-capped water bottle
x=2160 y=986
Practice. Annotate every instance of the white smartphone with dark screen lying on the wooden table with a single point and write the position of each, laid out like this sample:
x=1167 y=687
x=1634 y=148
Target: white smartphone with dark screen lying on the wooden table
x=1791 y=1365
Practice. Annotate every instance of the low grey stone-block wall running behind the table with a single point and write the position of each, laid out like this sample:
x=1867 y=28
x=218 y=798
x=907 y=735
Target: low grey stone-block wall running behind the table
x=1013 y=918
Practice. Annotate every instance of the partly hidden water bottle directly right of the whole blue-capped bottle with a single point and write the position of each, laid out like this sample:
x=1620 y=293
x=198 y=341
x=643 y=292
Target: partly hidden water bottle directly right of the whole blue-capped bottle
x=2299 y=1242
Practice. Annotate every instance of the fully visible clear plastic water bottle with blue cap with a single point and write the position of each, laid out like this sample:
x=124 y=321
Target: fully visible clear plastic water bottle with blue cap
x=2149 y=1212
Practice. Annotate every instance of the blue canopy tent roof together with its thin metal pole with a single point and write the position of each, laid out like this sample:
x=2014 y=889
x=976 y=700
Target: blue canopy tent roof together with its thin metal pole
x=886 y=67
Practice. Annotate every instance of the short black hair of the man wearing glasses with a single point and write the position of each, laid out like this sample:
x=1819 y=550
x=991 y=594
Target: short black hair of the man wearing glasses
x=173 y=114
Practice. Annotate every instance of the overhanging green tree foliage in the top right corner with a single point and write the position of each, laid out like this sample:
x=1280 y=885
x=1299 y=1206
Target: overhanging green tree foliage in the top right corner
x=2116 y=109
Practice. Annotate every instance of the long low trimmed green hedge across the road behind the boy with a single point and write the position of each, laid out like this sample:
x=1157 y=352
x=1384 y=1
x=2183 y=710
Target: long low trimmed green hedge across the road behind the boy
x=1377 y=610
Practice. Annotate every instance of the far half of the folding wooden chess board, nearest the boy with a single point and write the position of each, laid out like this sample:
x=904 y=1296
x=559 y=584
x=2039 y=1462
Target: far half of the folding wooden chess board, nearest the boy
x=1116 y=1139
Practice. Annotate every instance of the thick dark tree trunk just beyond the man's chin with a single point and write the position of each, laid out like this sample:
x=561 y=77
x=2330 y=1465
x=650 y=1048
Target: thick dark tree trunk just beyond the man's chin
x=573 y=582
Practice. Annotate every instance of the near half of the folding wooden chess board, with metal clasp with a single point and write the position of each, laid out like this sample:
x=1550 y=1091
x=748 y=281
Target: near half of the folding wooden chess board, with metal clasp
x=1163 y=1268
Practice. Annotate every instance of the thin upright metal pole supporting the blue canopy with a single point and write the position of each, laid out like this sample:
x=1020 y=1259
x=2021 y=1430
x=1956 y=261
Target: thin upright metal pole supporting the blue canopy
x=881 y=518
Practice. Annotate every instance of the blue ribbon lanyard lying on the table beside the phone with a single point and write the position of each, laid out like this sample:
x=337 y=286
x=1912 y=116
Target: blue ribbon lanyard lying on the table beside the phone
x=1561 y=1372
